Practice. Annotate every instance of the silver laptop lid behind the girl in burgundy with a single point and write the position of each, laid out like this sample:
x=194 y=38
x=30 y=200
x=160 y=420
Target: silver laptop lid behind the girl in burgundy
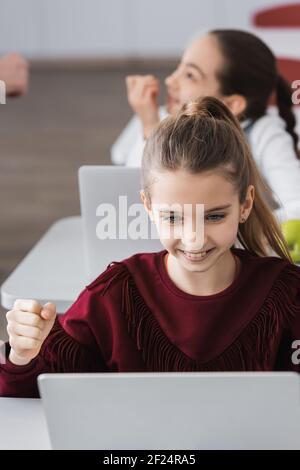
x=107 y=194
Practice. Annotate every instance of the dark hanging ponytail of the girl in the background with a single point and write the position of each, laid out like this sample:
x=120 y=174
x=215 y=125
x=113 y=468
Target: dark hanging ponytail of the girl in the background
x=284 y=103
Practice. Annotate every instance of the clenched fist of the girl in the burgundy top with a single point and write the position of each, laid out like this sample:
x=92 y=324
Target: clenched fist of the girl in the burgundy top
x=29 y=324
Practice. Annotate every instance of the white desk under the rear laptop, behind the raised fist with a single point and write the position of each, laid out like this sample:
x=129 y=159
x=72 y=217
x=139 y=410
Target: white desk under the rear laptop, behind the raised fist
x=53 y=270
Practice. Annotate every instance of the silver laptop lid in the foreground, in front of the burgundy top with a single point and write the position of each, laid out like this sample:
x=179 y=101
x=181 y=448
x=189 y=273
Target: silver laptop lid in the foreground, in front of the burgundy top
x=172 y=410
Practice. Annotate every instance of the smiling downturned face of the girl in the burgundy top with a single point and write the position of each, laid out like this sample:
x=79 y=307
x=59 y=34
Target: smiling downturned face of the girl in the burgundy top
x=177 y=229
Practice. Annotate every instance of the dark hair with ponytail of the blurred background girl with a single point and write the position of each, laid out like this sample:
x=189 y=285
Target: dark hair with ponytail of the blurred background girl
x=251 y=70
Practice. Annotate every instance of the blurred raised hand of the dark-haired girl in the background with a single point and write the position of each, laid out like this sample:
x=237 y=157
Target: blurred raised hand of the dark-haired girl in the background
x=142 y=93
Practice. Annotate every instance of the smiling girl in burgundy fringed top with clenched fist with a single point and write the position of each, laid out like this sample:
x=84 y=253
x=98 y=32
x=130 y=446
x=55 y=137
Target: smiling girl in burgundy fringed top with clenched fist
x=199 y=305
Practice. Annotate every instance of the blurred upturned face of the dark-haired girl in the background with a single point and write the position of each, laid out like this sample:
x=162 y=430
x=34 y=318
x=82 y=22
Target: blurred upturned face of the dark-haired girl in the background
x=196 y=74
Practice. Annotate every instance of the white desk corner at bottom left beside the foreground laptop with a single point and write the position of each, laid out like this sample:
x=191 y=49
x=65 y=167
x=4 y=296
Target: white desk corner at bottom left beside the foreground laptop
x=22 y=424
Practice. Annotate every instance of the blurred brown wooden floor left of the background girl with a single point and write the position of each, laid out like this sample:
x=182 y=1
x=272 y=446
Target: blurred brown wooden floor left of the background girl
x=69 y=118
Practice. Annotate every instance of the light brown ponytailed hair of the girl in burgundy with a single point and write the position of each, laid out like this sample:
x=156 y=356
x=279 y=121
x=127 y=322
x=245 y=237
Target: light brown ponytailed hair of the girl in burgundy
x=206 y=136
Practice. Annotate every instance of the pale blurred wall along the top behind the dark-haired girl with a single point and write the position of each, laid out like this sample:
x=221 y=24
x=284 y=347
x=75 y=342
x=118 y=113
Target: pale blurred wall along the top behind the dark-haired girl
x=44 y=29
